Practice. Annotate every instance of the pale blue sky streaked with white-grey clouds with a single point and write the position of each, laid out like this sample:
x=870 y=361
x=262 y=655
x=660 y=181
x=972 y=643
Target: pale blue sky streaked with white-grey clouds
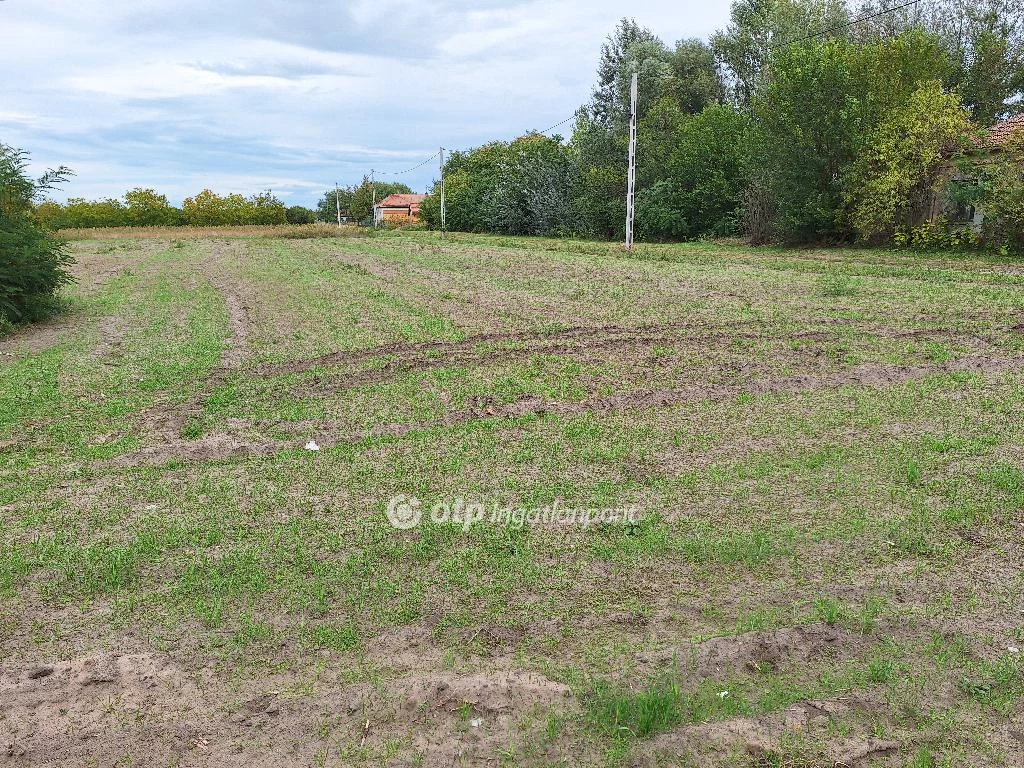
x=293 y=96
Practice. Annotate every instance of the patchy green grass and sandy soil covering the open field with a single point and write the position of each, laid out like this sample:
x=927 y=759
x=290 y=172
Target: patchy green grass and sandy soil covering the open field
x=812 y=455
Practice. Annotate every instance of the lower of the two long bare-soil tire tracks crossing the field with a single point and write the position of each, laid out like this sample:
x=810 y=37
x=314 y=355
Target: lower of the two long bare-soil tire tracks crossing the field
x=876 y=376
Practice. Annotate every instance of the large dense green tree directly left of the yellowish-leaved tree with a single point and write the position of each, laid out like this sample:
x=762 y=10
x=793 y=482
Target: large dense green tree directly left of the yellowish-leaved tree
x=820 y=109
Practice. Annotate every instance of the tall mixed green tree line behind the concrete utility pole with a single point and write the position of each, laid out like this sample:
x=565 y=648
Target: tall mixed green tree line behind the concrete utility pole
x=796 y=124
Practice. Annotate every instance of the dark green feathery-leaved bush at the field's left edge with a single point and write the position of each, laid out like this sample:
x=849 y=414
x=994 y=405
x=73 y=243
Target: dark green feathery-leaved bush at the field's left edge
x=33 y=263
